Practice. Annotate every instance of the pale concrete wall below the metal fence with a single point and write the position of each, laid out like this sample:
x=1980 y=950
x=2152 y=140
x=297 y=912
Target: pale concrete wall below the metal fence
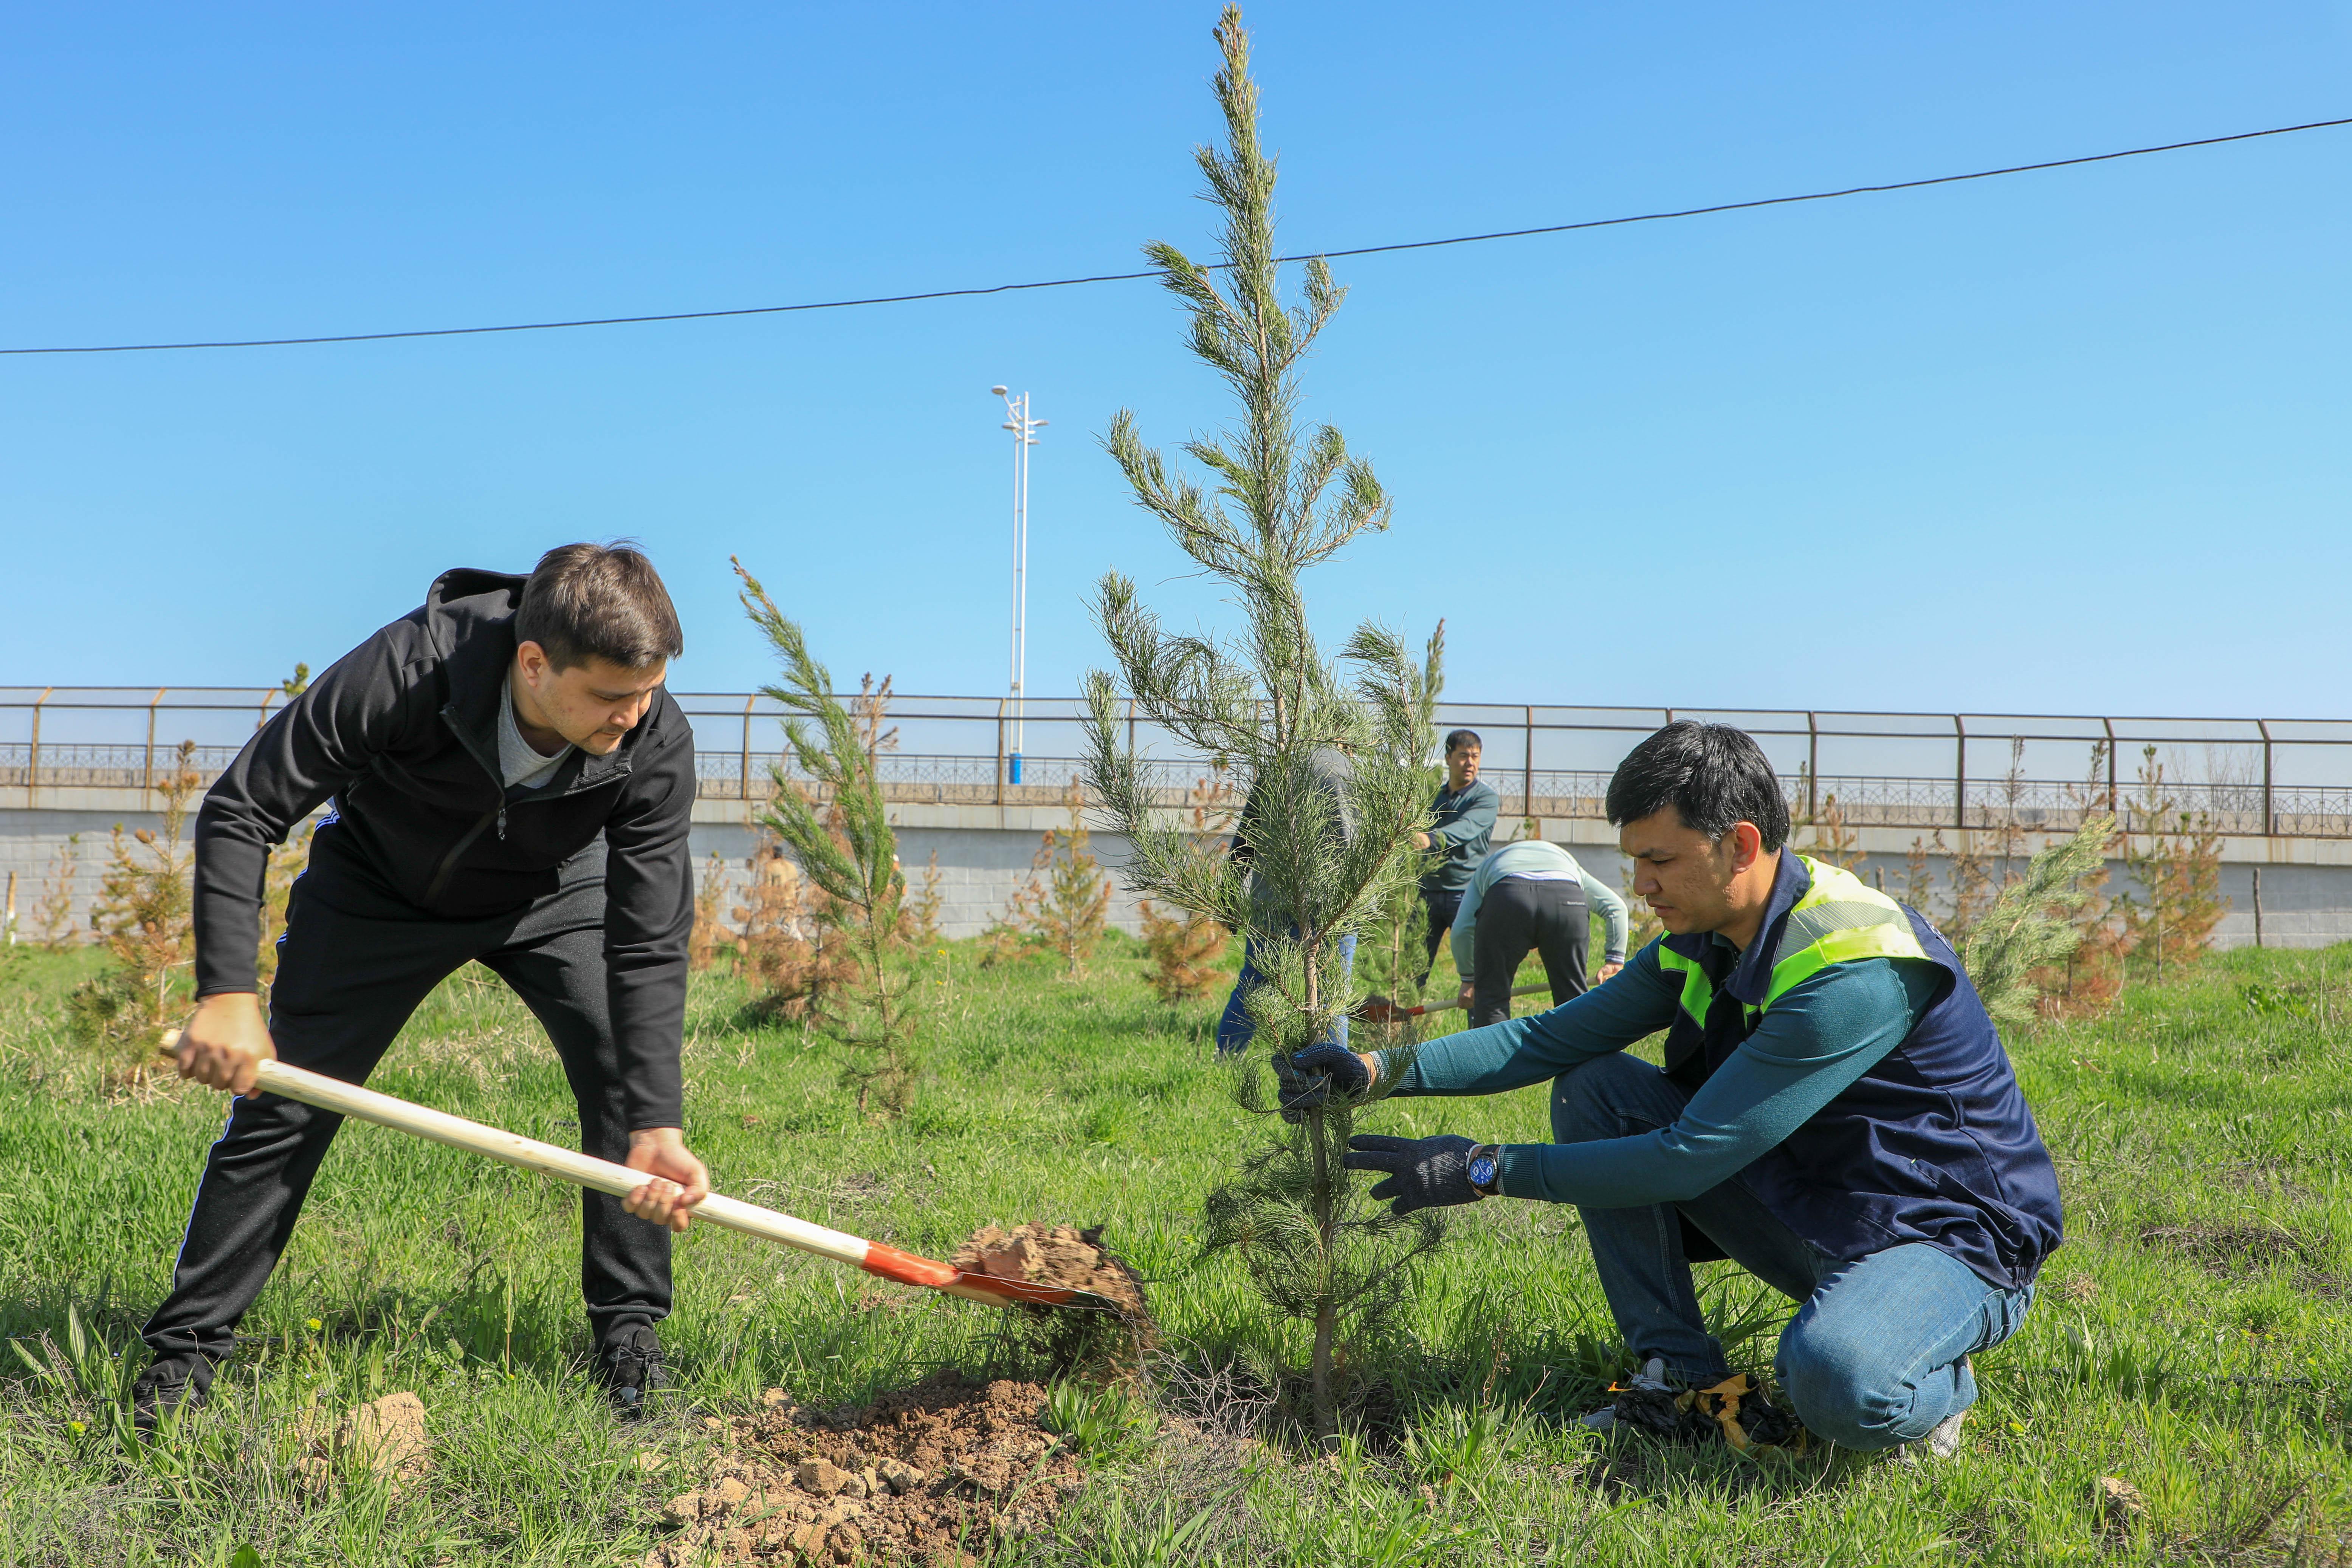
x=987 y=852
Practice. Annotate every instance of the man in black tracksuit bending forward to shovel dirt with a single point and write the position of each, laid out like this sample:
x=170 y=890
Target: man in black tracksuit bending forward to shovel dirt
x=507 y=782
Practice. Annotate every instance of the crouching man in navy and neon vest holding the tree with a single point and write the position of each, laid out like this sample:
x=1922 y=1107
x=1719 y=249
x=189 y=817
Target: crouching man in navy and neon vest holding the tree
x=1836 y=1115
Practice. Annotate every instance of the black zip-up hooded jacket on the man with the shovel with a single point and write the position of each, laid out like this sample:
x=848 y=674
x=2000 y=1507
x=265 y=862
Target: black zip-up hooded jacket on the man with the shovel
x=403 y=735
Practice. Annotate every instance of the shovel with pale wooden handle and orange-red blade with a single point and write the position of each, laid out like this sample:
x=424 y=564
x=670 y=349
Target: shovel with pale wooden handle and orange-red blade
x=620 y=1181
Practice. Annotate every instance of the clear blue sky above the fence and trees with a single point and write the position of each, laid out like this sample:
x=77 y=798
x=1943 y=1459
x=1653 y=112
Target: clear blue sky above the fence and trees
x=2066 y=441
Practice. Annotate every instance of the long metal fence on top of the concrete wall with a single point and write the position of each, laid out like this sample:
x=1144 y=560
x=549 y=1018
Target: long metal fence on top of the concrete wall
x=1876 y=770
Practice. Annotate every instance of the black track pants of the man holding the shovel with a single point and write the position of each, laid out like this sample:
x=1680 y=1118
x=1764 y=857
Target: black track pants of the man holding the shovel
x=352 y=970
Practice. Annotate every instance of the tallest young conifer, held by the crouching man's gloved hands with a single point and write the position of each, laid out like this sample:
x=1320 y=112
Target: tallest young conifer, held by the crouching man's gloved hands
x=1276 y=706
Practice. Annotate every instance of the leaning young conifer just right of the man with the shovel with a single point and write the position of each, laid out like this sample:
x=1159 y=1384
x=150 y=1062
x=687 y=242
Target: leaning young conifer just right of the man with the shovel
x=850 y=857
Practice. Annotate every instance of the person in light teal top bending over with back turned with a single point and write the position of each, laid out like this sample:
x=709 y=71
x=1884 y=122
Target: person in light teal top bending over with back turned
x=1532 y=897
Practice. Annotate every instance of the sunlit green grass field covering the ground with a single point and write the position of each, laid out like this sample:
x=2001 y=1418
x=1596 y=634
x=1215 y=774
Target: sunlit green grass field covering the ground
x=2193 y=1339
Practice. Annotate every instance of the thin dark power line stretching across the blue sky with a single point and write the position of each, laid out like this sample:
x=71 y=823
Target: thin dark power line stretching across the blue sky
x=1071 y=283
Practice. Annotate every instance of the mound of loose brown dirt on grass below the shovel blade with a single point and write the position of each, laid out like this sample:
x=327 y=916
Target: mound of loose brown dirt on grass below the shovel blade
x=928 y=1475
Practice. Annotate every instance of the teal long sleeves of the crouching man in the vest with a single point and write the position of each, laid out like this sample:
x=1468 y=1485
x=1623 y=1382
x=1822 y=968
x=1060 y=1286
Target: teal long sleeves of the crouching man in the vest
x=1817 y=1040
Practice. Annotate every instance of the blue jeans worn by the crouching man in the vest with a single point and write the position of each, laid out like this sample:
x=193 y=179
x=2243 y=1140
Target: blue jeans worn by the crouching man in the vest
x=1873 y=1358
